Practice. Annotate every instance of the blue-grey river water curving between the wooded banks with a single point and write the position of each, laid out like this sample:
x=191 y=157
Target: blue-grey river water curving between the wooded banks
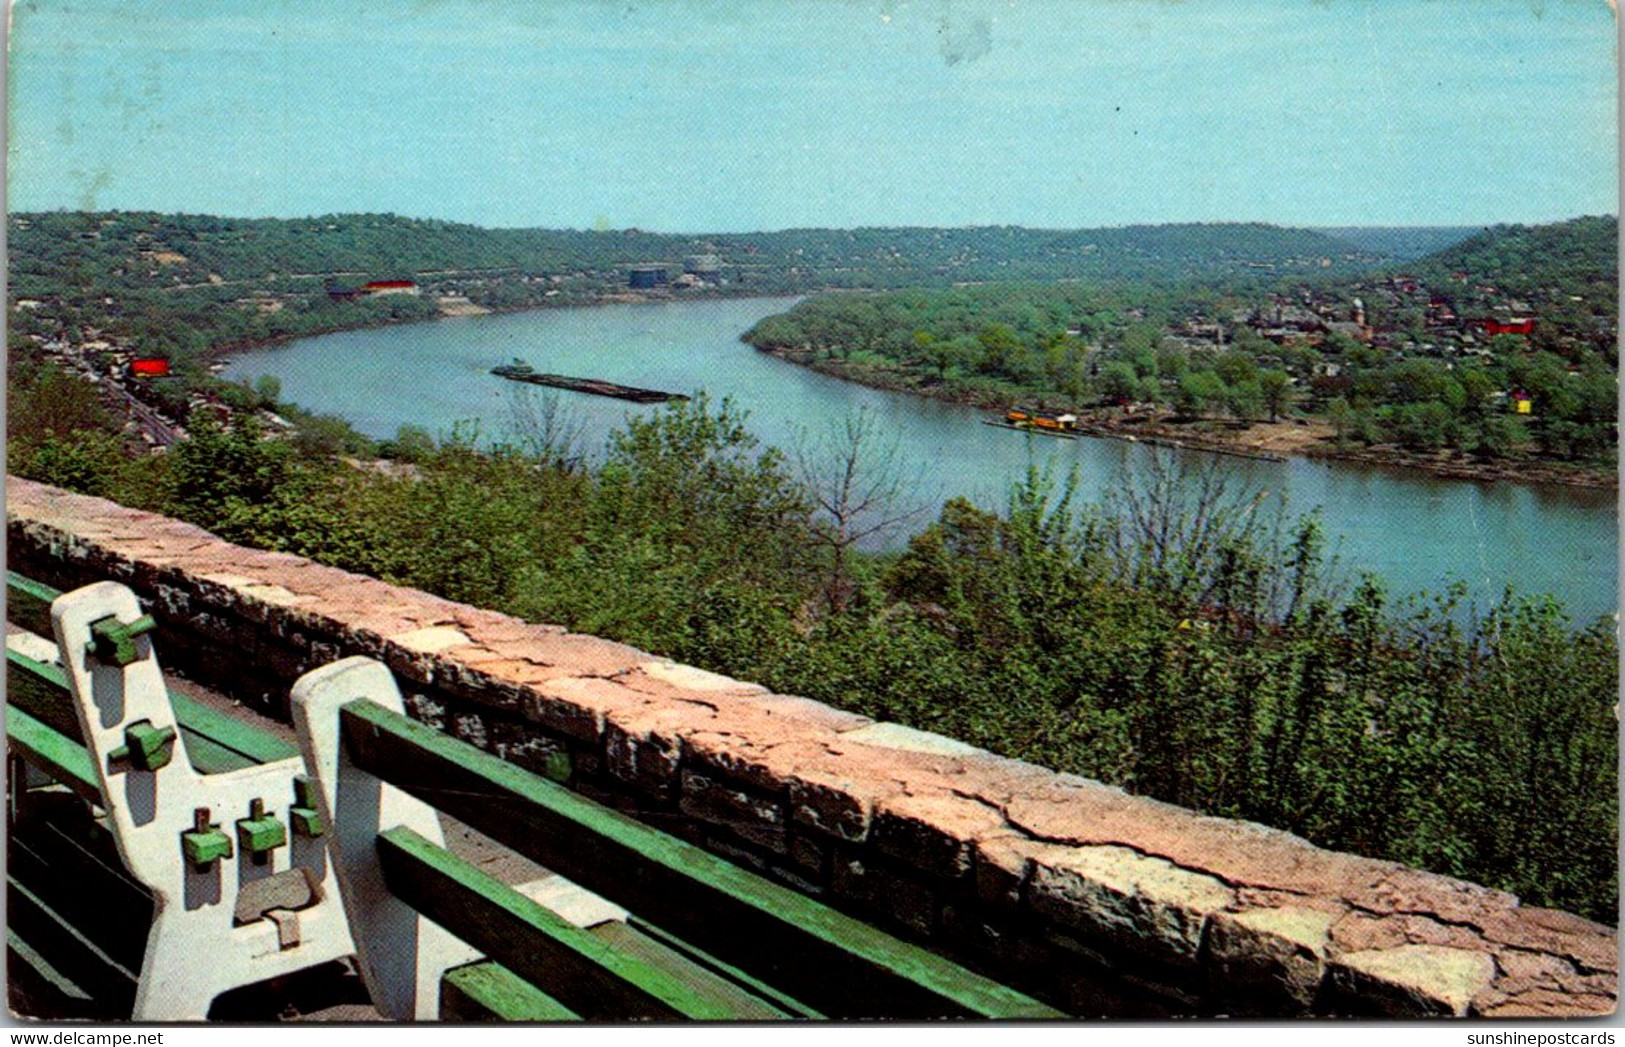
x=1416 y=531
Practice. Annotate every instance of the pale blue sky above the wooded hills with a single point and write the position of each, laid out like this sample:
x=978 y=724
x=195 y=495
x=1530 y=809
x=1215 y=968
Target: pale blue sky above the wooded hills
x=761 y=115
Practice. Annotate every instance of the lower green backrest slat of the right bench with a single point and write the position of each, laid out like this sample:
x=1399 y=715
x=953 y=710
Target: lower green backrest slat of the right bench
x=583 y=971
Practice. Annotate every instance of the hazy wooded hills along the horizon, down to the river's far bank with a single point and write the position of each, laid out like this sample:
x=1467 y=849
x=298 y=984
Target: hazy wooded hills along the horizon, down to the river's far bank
x=183 y=285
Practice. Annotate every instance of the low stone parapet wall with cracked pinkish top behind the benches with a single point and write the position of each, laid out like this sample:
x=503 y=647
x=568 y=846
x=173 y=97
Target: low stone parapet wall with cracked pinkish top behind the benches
x=1101 y=903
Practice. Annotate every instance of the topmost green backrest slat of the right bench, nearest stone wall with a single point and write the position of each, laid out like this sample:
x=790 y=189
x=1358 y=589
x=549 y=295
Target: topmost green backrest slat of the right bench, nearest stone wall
x=836 y=963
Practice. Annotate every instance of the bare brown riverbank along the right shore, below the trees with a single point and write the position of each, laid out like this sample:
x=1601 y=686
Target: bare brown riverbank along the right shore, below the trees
x=1307 y=438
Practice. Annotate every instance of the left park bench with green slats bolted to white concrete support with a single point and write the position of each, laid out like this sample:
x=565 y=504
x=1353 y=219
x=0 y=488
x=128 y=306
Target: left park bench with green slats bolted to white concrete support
x=160 y=853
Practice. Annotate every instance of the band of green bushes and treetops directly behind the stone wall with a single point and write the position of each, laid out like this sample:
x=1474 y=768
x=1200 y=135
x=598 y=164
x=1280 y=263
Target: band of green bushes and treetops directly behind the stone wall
x=1184 y=640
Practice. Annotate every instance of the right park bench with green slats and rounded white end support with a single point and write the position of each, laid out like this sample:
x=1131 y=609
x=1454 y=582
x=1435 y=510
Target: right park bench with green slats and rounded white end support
x=703 y=939
